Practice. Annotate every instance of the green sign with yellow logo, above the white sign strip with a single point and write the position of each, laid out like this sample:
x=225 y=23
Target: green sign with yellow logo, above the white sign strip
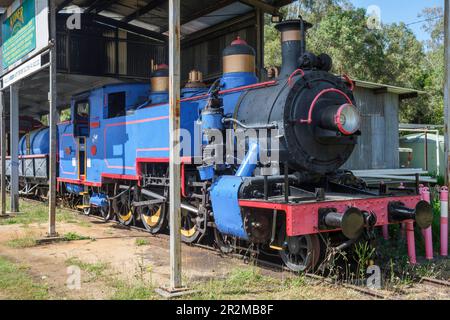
x=19 y=33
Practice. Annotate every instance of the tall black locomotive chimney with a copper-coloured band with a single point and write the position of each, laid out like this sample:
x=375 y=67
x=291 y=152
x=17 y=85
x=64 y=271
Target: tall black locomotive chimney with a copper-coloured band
x=293 y=45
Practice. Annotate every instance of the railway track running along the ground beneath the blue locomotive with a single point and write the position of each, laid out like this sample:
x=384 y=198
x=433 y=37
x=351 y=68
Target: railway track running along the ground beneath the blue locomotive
x=268 y=265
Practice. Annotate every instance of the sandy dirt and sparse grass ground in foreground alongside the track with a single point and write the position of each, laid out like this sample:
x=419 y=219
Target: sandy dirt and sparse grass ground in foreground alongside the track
x=115 y=259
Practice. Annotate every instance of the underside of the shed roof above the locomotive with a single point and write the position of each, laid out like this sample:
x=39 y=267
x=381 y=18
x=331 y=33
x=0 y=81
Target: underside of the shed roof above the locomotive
x=152 y=15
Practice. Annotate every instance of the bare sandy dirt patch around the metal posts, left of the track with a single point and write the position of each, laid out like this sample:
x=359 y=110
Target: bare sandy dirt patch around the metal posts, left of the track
x=111 y=245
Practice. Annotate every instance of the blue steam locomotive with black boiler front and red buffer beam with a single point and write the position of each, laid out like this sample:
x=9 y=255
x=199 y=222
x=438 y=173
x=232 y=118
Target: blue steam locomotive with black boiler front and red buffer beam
x=114 y=154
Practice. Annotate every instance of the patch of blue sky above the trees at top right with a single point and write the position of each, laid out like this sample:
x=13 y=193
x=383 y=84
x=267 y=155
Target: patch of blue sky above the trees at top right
x=401 y=10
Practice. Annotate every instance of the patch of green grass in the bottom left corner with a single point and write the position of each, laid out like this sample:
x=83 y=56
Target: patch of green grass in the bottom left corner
x=17 y=284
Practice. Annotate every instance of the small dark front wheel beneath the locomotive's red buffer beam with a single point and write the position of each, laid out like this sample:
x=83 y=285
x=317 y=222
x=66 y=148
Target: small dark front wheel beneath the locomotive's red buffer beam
x=301 y=253
